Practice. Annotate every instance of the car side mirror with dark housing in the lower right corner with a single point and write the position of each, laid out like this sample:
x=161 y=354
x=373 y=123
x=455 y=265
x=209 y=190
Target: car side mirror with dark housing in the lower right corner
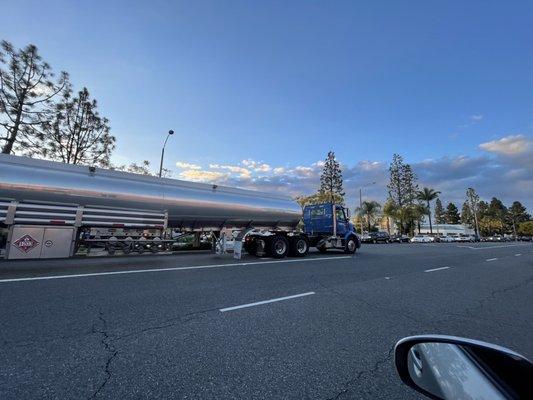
x=448 y=367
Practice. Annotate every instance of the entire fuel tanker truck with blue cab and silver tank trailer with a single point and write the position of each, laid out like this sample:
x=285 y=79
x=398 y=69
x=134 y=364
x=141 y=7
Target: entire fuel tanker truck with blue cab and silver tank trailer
x=50 y=209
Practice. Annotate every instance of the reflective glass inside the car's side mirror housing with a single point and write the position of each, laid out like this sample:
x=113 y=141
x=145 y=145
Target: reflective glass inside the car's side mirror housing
x=461 y=371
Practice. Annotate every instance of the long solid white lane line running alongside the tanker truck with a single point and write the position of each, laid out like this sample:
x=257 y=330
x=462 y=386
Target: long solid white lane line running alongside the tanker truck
x=140 y=271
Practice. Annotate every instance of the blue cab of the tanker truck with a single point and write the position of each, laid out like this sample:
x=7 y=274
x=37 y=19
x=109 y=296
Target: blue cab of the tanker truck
x=328 y=226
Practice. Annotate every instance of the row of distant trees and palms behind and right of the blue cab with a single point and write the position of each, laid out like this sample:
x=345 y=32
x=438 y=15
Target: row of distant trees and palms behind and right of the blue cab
x=407 y=206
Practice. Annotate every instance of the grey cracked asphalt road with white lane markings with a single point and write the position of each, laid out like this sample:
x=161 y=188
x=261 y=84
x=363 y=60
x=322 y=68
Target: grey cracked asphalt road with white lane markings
x=152 y=326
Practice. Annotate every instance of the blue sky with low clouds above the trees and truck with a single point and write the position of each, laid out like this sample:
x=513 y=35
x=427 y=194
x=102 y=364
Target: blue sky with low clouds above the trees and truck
x=449 y=85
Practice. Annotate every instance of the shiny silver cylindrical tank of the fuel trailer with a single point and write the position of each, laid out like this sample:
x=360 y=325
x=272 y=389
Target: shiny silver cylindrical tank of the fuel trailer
x=189 y=204
